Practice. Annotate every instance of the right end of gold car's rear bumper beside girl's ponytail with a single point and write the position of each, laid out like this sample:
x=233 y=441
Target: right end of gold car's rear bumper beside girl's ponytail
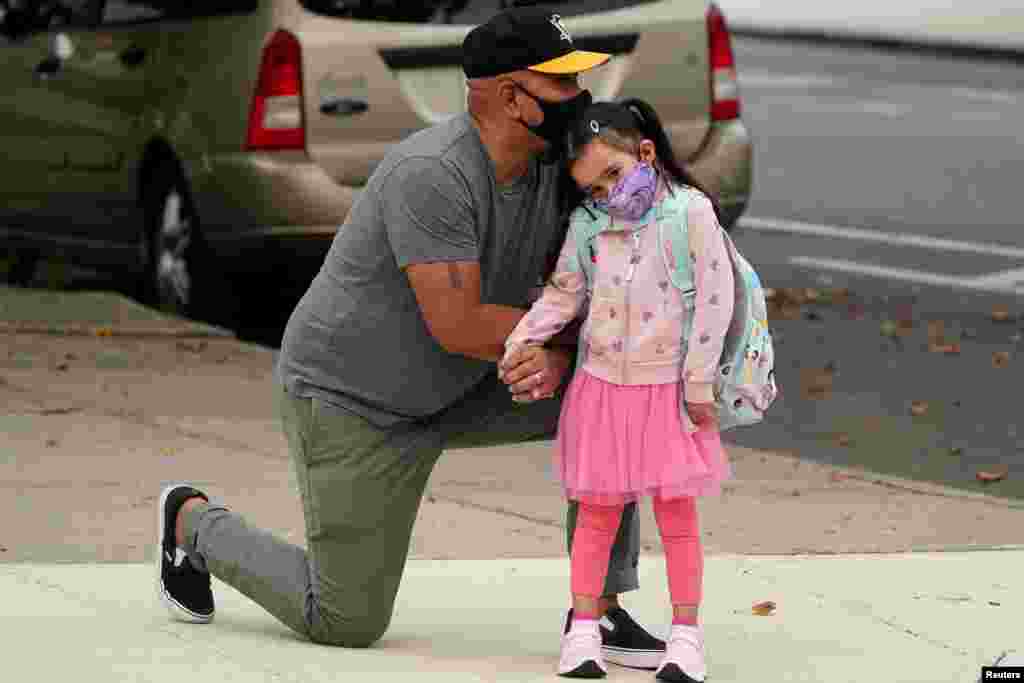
x=726 y=167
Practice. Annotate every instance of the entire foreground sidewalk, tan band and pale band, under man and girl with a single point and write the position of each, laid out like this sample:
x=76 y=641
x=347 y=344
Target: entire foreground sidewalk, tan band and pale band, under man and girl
x=92 y=425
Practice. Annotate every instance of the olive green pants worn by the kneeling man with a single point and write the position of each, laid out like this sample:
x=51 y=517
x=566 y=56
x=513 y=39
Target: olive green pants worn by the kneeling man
x=361 y=490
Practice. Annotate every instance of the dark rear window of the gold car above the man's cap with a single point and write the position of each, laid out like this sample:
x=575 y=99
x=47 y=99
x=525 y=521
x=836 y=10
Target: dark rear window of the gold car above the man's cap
x=453 y=12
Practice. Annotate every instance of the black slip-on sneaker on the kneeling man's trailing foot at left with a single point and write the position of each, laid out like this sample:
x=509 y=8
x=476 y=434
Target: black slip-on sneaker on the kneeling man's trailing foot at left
x=185 y=590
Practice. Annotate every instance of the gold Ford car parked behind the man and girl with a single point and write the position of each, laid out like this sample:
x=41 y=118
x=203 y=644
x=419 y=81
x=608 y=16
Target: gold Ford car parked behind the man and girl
x=194 y=143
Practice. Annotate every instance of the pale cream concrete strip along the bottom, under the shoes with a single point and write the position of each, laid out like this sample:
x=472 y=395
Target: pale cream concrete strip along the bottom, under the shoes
x=927 y=619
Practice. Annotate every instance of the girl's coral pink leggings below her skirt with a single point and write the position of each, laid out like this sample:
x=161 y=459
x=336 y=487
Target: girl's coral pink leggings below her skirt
x=677 y=522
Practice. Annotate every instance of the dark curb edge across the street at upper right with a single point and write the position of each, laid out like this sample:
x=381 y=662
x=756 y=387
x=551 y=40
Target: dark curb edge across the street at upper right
x=936 y=48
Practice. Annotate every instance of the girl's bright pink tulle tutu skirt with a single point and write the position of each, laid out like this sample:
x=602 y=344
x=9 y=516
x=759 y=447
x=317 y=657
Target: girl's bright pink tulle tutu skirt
x=617 y=444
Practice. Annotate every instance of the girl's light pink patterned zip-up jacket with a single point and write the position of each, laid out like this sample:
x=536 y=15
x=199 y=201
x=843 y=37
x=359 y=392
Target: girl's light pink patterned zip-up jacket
x=634 y=327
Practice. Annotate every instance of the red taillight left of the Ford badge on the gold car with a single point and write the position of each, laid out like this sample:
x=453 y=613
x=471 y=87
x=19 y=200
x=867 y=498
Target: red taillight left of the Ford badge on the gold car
x=276 y=120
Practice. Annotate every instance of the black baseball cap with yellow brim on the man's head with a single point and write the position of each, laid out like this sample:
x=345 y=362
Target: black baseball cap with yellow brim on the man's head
x=525 y=38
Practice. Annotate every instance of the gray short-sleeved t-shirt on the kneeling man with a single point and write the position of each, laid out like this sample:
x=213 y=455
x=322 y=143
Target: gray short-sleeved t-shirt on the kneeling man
x=358 y=339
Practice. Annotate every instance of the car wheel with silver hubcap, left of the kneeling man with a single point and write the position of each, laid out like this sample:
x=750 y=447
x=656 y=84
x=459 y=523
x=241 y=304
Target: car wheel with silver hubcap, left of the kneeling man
x=183 y=277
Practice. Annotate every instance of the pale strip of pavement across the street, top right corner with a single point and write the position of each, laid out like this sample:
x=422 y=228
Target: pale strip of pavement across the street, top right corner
x=982 y=25
